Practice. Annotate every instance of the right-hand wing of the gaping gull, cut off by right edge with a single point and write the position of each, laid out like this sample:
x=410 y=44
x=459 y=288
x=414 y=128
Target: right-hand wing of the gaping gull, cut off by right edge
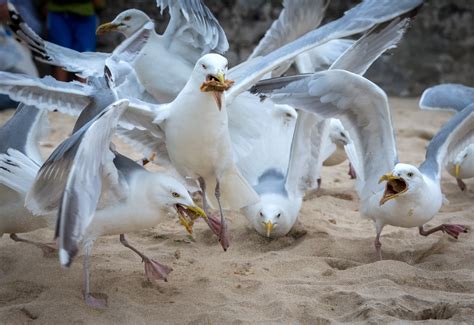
x=453 y=137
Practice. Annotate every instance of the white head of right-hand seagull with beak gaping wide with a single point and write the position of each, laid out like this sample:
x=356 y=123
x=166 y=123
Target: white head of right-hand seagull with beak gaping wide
x=403 y=179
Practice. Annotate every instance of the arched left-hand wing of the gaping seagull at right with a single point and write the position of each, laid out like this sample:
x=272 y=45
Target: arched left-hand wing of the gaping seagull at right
x=361 y=106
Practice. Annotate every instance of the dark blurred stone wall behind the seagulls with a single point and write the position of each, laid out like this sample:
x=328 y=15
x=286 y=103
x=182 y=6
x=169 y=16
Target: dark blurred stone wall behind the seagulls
x=438 y=48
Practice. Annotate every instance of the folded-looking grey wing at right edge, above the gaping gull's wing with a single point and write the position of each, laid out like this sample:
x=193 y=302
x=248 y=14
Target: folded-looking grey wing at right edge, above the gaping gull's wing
x=452 y=97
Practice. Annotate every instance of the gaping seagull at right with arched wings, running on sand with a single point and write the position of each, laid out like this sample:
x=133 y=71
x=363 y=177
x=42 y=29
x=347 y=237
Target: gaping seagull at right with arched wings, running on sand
x=411 y=196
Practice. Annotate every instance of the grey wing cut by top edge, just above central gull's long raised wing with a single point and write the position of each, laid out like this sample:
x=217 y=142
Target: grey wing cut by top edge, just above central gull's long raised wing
x=296 y=18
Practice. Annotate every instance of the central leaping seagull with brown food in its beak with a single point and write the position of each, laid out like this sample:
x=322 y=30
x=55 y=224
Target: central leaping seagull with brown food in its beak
x=198 y=128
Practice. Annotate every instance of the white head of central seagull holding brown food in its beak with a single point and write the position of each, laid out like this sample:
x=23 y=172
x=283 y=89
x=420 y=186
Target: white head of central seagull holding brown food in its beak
x=210 y=70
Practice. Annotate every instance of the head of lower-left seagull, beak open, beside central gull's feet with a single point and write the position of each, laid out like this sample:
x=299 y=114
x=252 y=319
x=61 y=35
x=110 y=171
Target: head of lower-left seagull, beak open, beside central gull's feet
x=171 y=193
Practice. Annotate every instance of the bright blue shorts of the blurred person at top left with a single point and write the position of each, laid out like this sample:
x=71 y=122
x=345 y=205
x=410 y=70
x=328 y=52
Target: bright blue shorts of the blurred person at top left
x=73 y=31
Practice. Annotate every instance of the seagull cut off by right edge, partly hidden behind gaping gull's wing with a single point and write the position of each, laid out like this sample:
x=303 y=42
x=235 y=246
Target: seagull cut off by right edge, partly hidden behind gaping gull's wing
x=453 y=97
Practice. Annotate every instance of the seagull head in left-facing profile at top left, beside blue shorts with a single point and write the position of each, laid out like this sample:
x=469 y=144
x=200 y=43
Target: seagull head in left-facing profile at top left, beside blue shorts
x=127 y=23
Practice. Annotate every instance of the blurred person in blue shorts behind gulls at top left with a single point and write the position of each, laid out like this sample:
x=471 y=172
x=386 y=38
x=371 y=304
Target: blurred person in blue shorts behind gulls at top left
x=72 y=24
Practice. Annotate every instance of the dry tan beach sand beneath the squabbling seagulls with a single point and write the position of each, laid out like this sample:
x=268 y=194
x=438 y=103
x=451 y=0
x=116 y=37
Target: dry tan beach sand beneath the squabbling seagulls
x=324 y=271
